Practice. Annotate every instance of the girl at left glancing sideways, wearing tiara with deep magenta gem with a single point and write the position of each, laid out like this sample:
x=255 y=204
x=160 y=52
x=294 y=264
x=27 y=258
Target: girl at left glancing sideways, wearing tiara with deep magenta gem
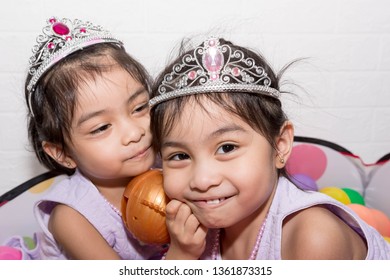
x=89 y=118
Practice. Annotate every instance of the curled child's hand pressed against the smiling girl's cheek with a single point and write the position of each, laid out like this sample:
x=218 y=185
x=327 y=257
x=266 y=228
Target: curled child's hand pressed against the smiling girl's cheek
x=188 y=236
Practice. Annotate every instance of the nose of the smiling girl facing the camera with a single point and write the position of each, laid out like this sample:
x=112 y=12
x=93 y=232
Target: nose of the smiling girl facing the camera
x=205 y=175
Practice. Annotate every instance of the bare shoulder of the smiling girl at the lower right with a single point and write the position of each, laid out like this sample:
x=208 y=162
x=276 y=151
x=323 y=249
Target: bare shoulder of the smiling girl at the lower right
x=317 y=233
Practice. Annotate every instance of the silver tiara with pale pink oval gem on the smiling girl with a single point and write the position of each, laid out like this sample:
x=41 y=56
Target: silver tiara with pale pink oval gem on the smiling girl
x=213 y=67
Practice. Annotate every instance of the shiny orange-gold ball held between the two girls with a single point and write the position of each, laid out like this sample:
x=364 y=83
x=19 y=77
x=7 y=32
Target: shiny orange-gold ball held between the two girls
x=143 y=208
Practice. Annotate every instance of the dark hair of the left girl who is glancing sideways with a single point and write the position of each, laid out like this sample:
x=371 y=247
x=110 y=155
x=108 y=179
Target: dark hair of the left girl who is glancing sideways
x=53 y=101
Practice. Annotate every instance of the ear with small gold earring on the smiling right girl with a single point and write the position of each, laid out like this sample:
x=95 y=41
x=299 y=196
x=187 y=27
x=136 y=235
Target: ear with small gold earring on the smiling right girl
x=284 y=143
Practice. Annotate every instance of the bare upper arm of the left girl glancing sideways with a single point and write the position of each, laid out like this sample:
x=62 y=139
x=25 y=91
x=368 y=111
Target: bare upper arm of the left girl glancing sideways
x=78 y=236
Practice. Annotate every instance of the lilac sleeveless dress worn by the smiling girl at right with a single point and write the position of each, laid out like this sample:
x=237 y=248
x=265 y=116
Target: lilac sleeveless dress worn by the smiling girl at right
x=289 y=199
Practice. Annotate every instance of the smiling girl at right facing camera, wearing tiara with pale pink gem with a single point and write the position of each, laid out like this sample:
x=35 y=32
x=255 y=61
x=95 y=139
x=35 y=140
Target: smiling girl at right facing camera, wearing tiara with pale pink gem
x=224 y=139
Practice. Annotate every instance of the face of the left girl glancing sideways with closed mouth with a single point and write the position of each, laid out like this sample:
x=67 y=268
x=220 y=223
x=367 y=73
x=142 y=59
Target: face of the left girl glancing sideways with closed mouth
x=110 y=135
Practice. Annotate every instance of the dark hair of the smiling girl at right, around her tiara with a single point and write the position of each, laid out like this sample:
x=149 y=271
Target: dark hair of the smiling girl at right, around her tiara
x=262 y=112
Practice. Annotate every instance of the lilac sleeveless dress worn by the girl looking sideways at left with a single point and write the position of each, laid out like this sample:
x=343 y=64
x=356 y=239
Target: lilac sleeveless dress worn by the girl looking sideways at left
x=79 y=193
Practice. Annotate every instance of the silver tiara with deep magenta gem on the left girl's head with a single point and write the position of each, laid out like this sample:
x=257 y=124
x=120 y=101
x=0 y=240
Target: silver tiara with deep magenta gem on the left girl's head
x=59 y=38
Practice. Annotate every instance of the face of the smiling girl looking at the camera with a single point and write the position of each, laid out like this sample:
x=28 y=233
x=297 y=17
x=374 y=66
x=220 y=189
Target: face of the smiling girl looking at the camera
x=218 y=165
